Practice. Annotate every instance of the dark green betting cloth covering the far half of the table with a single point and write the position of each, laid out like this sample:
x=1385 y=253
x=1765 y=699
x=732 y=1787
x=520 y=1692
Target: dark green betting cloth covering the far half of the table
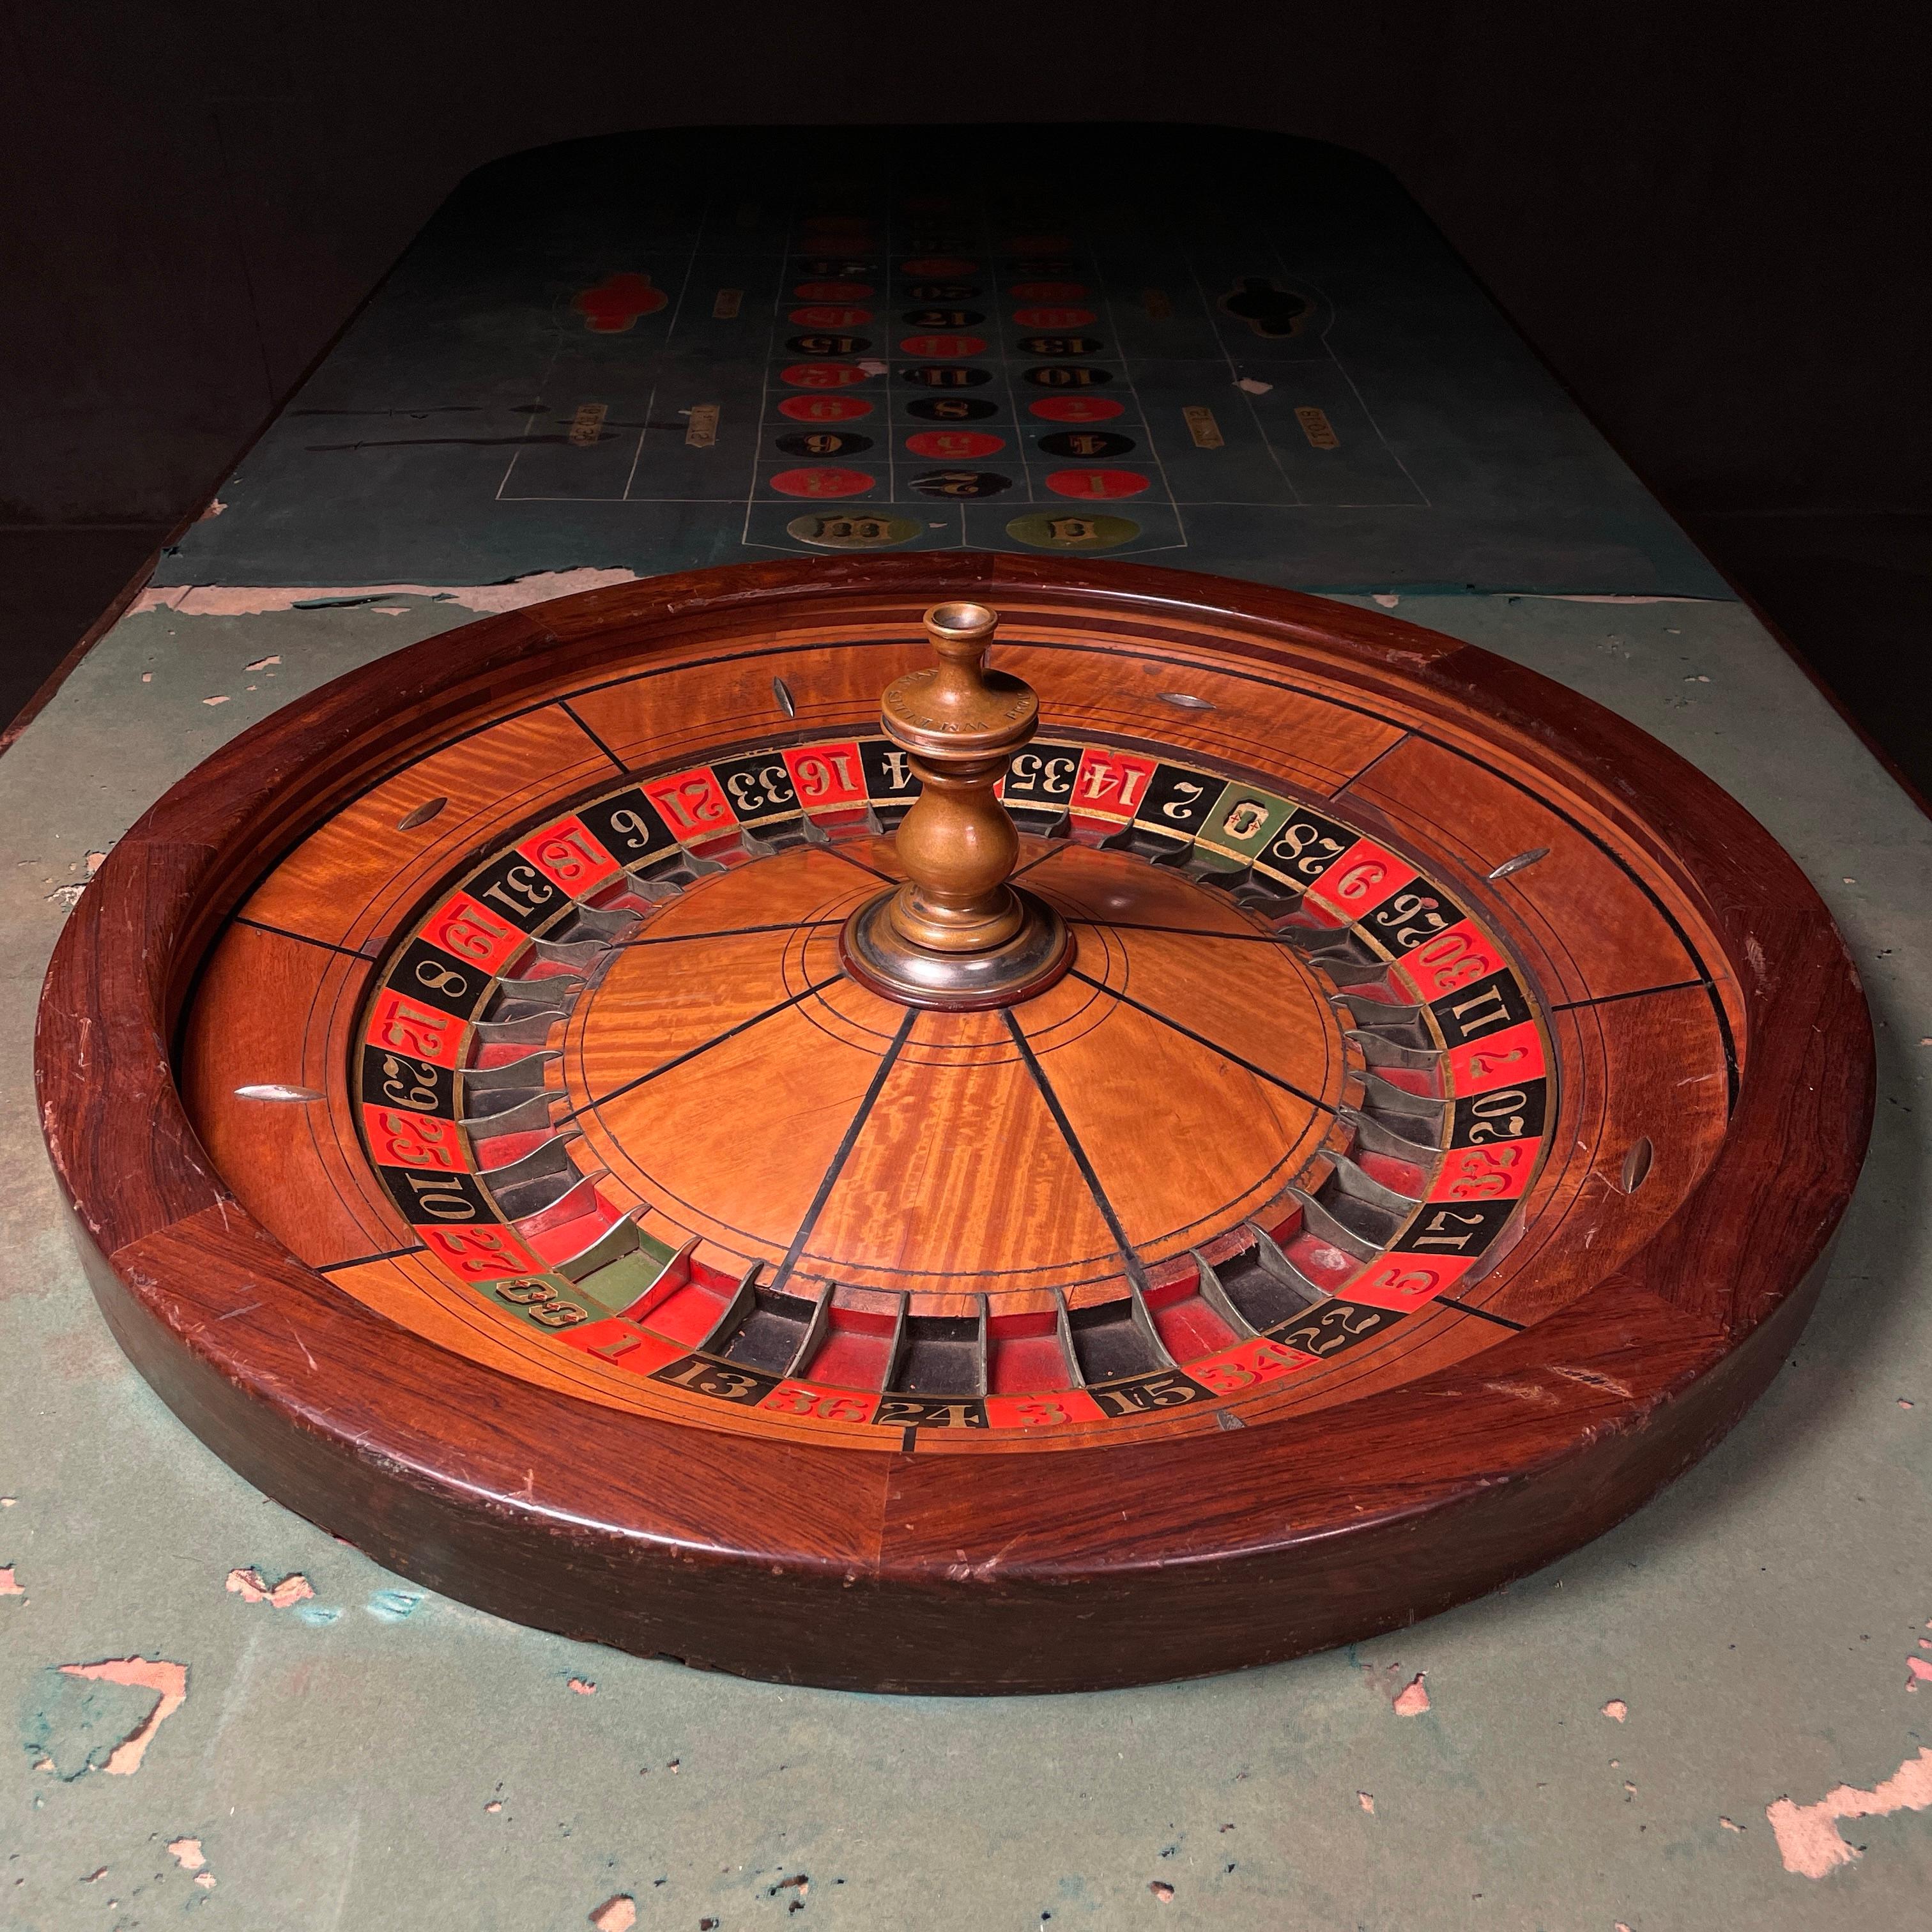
x=1375 y=420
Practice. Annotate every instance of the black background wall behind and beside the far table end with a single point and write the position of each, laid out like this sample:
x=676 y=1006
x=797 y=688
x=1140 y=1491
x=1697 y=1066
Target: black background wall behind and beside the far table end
x=1709 y=221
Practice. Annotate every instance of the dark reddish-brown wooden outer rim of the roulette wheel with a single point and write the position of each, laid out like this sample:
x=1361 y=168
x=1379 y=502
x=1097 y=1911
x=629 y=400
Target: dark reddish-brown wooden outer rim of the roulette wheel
x=1742 y=1253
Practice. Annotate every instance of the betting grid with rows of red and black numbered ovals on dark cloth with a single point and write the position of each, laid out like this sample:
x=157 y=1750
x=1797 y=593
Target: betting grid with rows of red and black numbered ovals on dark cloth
x=888 y=366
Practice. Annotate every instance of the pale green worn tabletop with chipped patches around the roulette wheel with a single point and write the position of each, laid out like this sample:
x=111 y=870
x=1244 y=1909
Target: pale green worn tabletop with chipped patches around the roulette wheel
x=1601 y=1746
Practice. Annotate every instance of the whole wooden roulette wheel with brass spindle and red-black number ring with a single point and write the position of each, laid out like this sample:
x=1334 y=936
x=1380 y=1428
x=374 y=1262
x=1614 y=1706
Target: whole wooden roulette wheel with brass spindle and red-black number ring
x=953 y=1123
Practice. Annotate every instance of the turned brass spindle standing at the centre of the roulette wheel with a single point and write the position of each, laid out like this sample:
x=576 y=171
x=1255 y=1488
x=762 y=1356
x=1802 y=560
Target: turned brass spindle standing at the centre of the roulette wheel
x=957 y=934
